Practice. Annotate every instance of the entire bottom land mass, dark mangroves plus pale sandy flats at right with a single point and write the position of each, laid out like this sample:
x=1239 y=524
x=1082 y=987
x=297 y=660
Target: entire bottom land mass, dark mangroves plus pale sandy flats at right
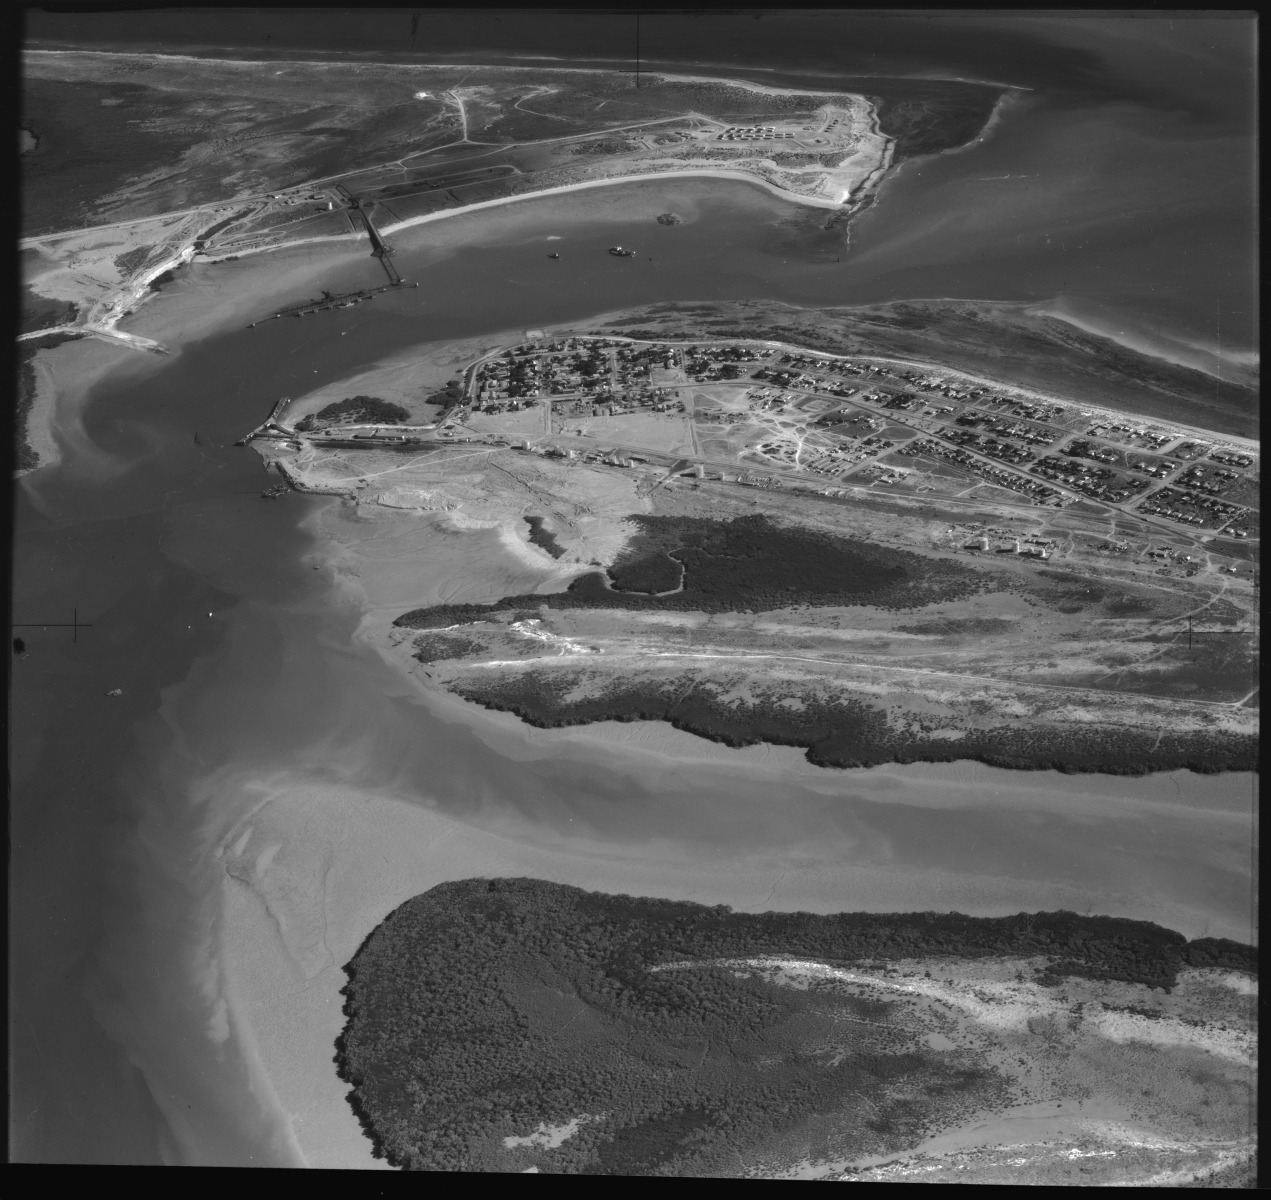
x=518 y=1025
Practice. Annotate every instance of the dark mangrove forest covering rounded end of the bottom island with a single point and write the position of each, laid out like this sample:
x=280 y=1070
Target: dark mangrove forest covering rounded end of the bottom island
x=493 y=1010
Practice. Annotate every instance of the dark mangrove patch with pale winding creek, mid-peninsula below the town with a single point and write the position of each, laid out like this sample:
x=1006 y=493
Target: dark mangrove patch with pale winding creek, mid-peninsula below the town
x=745 y=565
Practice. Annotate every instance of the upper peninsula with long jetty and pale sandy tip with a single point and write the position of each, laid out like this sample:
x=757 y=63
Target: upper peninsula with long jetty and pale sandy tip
x=245 y=157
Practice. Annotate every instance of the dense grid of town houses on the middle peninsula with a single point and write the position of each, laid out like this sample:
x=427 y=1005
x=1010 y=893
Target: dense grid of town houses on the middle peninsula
x=981 y=423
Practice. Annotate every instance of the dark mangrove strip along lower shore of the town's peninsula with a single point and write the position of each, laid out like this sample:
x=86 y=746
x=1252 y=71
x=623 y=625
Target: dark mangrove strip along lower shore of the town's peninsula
x=846 y=734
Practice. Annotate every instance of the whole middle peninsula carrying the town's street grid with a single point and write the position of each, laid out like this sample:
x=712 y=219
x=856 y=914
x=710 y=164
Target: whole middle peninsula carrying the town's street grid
x=875 y=559
